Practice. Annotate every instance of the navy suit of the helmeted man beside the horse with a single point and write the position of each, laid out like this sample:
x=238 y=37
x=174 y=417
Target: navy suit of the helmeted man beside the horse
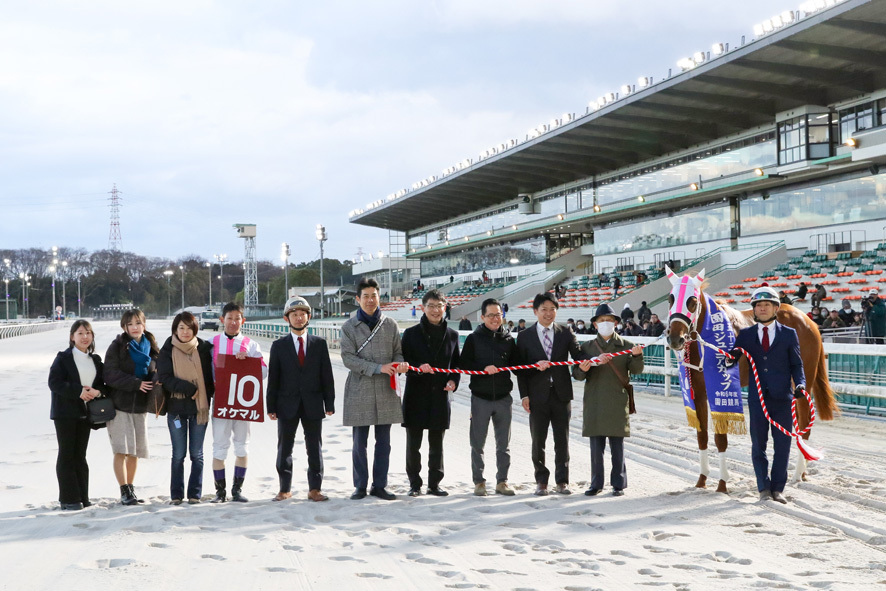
x=776 y=369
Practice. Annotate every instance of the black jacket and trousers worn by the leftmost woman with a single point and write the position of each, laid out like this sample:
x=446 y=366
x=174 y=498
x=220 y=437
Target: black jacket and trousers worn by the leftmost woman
x=68 y=412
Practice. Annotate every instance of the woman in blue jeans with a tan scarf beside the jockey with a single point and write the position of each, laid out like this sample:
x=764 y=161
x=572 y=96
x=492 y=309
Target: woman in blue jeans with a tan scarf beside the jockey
x=185 y=370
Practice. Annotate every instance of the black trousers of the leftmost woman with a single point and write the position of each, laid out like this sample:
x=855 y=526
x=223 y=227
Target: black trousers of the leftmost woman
x=70 y=467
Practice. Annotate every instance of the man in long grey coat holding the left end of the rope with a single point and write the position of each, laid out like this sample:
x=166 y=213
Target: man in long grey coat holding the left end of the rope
x=370 y=349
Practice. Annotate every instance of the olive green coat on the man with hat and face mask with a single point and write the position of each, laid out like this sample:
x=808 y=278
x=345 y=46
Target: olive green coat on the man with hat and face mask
x=605 y=400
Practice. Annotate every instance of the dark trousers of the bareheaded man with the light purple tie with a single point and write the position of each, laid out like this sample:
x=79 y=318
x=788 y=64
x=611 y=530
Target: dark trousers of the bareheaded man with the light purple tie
x=554 y=414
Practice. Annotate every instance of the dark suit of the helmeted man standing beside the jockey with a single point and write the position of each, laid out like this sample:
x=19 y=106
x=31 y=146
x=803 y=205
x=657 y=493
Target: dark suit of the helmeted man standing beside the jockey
x=300 y=393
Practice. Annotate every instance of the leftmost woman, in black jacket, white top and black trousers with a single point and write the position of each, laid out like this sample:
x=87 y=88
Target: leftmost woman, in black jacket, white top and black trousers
x=74 y=378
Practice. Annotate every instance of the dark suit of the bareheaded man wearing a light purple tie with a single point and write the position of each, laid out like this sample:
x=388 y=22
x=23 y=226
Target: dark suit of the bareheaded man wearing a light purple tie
x=550 y=396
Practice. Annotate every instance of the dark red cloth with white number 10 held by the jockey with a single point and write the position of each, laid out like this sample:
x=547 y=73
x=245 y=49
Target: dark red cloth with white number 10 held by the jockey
x=239 y=391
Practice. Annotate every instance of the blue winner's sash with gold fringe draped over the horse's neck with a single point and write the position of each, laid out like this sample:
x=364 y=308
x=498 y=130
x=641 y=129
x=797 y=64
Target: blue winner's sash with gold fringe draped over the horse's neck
x=722 y=384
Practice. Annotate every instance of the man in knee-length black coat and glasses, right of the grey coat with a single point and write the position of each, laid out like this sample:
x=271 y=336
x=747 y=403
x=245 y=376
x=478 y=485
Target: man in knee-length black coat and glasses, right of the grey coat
x=430 y=343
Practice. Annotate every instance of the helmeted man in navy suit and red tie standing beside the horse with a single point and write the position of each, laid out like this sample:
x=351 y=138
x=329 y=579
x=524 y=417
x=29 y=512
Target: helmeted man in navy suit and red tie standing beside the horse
x=775 y=350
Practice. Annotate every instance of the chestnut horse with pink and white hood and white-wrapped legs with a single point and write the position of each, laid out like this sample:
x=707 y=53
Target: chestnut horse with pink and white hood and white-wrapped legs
x=688 y=310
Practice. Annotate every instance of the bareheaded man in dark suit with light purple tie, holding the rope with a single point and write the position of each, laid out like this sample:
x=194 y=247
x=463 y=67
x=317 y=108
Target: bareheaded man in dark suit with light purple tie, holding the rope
x=547 y=394
